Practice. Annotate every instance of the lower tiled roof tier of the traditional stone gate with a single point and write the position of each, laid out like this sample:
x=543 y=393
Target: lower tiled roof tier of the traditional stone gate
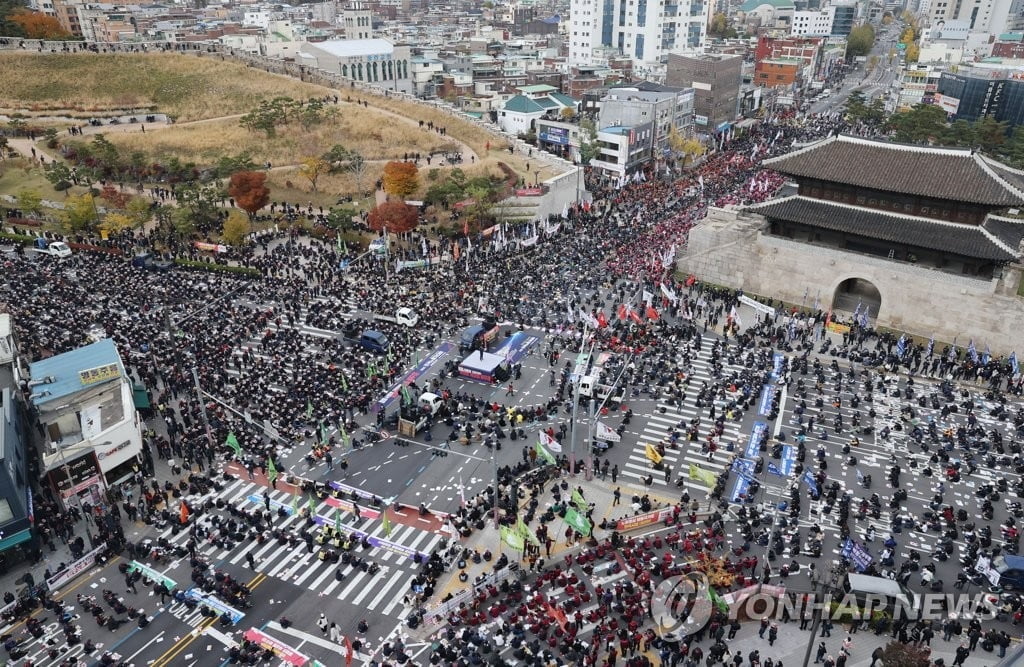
x=990 y=242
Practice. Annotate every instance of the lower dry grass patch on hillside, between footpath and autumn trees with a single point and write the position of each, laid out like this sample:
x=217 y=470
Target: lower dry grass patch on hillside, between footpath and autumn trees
x=374 y=136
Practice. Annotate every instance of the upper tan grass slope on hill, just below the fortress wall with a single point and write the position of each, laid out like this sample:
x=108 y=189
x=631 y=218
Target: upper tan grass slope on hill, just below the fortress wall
x=186 y=88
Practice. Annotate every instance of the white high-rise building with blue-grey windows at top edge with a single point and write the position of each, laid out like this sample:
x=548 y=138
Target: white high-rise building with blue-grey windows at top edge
x=644 y=30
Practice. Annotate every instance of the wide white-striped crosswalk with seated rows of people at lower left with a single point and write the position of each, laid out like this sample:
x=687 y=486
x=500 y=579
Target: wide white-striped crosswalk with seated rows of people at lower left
x=381 y=593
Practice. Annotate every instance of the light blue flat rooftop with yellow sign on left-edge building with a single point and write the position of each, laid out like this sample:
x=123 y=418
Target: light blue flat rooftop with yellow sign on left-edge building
x=101 y=358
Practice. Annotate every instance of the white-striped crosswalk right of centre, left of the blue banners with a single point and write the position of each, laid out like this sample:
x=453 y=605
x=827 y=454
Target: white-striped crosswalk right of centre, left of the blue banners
x=664 y=420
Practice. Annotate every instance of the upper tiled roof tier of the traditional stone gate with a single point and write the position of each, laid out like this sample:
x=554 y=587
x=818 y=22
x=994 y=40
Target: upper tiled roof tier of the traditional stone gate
x=955 y=175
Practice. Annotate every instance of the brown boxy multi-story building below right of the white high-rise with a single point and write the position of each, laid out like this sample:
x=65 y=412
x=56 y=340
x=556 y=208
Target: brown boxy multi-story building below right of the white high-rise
x=715 y=80
